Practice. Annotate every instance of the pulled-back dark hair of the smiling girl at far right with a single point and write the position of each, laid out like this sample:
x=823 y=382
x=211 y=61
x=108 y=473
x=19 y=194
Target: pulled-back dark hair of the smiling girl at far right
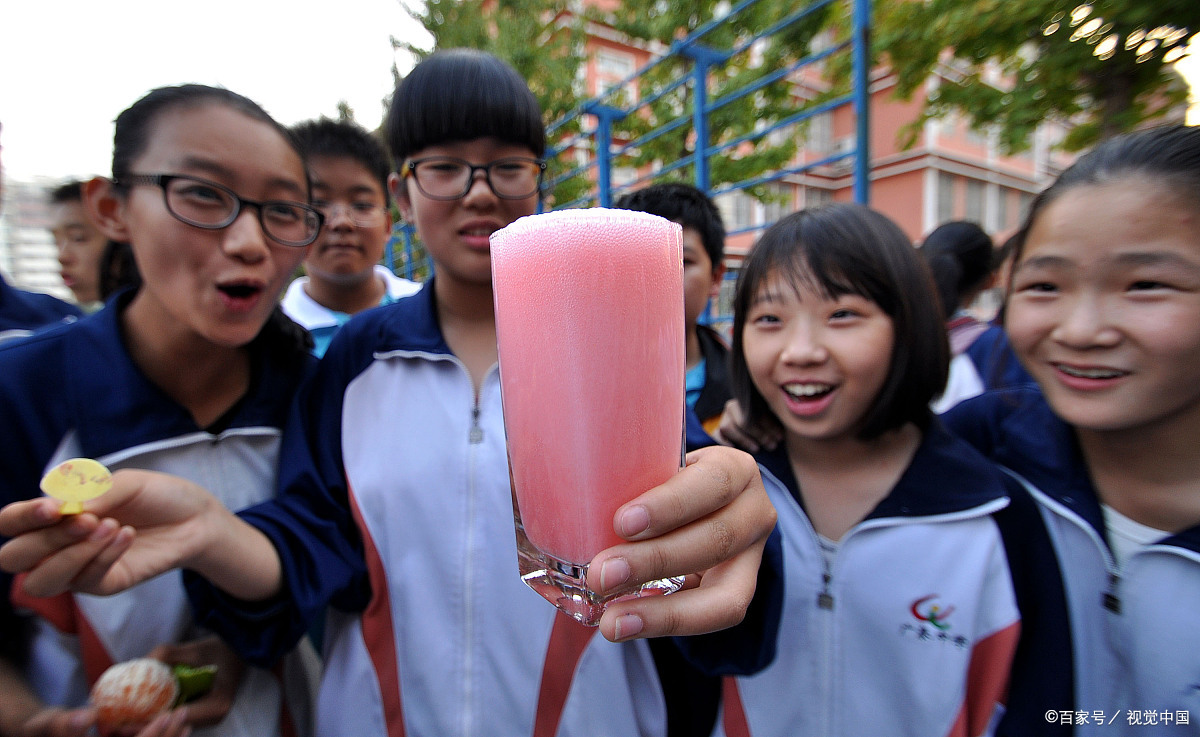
x=1169 y=155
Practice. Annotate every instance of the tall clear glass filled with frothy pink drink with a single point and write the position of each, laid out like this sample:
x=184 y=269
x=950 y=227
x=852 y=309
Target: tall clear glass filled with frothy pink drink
x=590 y=322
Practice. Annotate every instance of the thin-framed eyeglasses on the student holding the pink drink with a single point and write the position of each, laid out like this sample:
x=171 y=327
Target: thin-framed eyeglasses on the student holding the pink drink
x=448 y=178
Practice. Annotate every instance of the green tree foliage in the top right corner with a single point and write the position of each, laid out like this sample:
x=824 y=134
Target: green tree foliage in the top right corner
x=1106 y=67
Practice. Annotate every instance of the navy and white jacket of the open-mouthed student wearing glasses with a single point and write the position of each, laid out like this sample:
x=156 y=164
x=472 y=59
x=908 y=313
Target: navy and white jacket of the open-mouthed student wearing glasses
x=75 y=392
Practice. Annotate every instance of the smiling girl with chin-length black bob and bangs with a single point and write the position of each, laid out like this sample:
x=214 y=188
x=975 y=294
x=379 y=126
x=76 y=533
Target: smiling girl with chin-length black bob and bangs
x=917 y=578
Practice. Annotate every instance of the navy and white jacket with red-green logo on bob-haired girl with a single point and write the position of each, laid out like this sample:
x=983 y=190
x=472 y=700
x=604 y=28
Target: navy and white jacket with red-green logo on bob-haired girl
x=931 y=604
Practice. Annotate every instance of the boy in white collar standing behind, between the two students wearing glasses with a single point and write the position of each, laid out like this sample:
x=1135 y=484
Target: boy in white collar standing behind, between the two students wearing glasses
x=344 y=277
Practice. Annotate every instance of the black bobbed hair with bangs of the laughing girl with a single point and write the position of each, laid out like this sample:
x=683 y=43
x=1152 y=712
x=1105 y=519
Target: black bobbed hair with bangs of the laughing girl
x=849 y=249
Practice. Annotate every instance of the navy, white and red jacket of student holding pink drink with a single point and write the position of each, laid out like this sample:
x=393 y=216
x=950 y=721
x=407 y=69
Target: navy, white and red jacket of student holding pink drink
x=397 y=508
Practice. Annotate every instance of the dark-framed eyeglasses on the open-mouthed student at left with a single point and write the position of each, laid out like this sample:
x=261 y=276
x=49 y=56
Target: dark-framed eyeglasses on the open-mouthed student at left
x=211 y=206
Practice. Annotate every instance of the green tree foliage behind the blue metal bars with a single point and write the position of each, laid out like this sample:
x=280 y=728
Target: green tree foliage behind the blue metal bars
x=747 y=118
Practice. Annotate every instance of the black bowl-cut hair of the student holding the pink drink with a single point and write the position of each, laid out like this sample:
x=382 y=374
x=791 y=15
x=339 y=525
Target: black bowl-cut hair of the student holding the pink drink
x=458 y=95
